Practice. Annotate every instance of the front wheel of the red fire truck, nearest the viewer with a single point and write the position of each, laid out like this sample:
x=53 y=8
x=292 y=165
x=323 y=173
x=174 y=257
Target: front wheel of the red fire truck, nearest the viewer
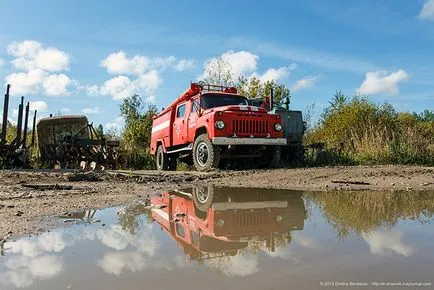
x=206 y=156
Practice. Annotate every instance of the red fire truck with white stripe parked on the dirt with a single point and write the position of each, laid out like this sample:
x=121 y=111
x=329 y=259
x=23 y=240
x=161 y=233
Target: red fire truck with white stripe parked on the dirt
x=209 y=123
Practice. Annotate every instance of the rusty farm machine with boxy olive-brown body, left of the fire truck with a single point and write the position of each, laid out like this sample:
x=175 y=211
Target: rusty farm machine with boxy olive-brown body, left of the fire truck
x=72 y=142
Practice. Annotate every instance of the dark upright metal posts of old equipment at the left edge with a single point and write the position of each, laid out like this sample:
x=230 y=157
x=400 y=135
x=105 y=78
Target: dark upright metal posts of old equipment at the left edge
x=14 y=154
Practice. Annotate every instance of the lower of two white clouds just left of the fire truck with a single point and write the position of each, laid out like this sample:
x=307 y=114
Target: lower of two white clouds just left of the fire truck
x=121 y=87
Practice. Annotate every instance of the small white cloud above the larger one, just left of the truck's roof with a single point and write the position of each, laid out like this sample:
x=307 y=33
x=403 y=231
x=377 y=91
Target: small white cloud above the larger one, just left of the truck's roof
x=119 y=63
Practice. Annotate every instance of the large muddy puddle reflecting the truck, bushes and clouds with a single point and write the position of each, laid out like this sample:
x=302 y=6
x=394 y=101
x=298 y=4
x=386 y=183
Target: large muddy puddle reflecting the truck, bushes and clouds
x=232 y=238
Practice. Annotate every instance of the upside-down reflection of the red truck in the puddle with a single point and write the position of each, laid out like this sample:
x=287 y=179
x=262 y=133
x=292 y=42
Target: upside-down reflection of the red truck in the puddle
x=213 y=222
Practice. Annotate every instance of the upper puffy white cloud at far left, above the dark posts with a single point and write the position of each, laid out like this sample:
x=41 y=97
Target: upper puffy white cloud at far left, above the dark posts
x=31 y=55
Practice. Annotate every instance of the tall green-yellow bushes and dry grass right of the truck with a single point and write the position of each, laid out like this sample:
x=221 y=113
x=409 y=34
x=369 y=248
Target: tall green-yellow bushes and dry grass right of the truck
x=368 y=133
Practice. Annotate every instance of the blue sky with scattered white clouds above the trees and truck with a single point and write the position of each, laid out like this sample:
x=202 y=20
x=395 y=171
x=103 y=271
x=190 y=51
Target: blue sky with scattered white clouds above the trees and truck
x=85 y=56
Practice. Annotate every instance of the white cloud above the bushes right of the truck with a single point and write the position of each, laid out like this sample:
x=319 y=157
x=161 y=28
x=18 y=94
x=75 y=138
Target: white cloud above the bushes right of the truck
x=380 y=82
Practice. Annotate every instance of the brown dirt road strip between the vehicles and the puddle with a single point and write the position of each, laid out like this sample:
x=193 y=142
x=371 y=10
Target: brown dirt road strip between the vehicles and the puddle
x=29 y=199
